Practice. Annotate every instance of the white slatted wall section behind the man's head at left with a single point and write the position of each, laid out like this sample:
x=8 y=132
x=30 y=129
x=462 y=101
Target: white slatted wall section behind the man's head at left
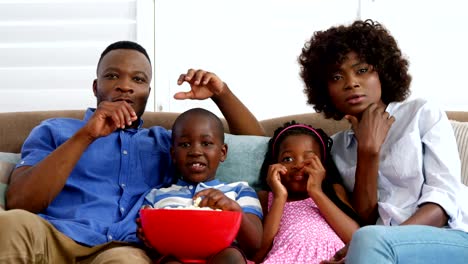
x=49 y=48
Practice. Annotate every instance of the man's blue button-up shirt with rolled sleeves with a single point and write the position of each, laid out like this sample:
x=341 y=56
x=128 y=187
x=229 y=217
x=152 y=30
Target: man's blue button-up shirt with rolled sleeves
x=104 y=192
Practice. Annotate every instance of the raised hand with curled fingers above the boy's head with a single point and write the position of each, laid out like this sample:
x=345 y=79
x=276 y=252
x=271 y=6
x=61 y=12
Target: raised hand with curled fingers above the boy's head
x=203 y=85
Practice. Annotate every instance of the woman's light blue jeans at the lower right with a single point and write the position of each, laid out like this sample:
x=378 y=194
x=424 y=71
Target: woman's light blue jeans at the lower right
x=408 y=244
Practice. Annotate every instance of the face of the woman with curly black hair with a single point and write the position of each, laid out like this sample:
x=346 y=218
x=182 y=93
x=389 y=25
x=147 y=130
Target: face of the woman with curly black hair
x=354 y=86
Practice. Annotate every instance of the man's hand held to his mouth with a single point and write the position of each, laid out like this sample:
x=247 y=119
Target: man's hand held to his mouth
x=108 y=117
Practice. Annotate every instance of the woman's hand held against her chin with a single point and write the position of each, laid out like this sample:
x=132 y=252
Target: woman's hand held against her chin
x=373 y=127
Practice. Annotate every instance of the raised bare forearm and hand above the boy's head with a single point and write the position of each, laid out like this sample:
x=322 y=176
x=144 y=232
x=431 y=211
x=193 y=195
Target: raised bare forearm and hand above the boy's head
x=207 y=85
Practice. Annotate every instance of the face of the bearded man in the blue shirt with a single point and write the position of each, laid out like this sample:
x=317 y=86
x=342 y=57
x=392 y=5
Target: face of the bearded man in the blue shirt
x=124 y=75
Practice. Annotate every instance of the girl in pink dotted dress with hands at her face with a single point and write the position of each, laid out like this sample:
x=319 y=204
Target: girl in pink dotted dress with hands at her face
x=307 y=216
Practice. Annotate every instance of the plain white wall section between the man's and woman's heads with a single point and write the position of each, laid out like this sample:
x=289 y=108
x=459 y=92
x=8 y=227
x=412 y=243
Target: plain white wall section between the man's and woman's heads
x=252 y=45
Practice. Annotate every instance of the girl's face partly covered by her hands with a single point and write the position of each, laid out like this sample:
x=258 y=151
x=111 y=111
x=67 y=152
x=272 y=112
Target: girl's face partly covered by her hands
x=294 y=153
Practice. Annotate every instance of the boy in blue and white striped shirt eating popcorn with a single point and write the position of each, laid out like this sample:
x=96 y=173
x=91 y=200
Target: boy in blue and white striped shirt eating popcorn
x=197 y=149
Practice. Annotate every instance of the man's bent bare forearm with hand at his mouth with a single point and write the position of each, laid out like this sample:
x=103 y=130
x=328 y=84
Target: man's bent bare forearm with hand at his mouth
x=33 y=188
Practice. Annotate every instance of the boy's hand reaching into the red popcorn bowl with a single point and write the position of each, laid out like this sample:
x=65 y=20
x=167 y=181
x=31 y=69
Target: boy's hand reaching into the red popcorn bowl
x=216 y=199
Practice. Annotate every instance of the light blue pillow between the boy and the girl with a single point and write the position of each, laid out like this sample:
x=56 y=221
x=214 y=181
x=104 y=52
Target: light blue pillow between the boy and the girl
x=244 y=158
